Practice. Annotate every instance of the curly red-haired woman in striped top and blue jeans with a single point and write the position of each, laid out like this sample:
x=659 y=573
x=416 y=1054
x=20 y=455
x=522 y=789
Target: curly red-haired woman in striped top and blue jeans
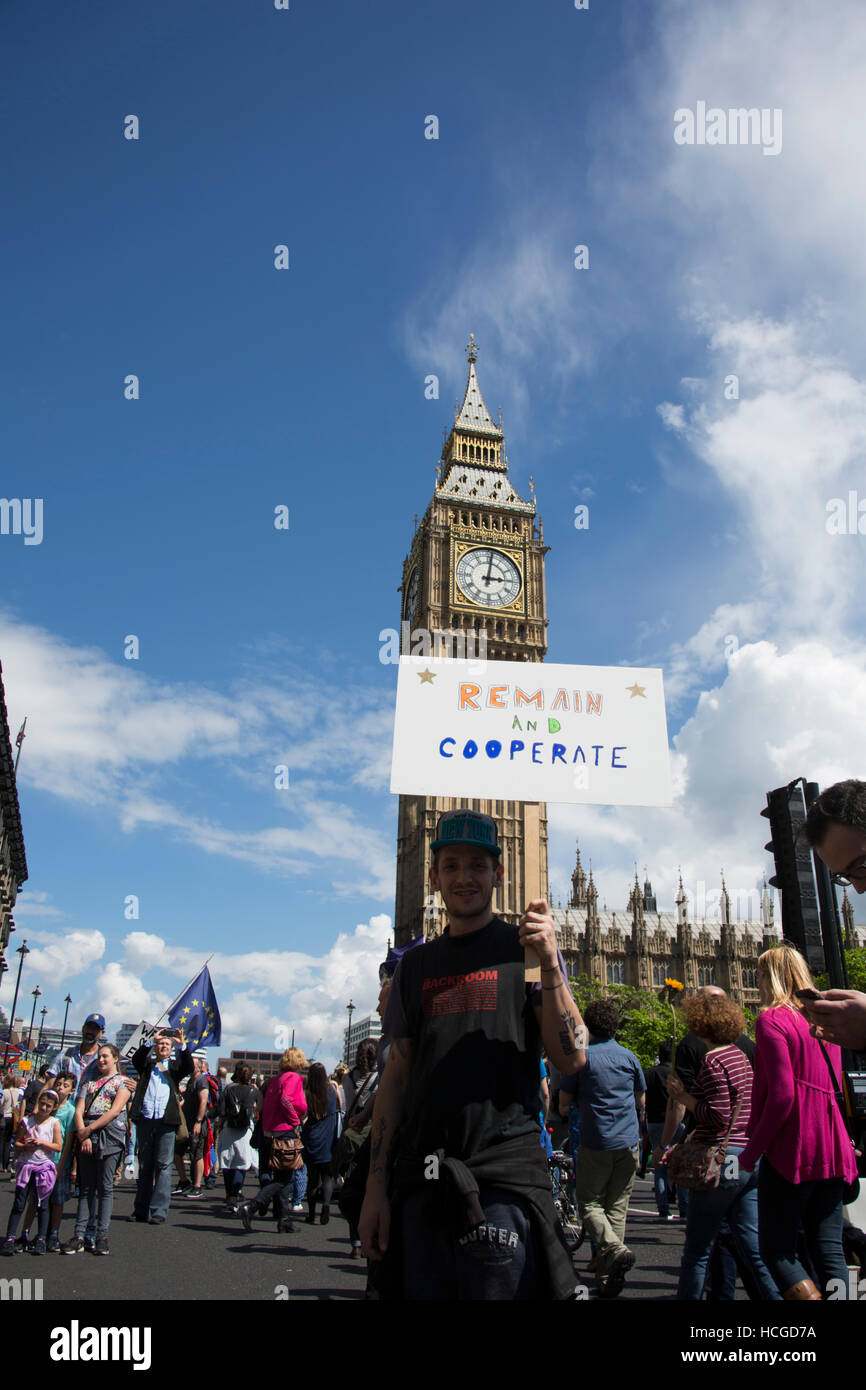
x=721 y=1102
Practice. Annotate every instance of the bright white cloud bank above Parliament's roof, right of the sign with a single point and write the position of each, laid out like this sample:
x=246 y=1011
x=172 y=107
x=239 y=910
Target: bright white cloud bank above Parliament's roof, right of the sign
x=778 y=715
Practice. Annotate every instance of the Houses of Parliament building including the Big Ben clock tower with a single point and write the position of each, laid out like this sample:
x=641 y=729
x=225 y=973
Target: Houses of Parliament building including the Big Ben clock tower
x=477 y=565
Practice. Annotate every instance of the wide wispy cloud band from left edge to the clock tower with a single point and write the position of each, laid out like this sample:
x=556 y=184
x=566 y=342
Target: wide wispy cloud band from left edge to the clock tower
x=106 y=735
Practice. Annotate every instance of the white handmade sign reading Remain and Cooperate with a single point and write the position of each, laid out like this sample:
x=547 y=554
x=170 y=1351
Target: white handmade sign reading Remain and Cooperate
x=532 y=732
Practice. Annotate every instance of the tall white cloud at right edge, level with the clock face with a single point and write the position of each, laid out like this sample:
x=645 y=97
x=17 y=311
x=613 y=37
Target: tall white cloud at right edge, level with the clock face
x=793 y=441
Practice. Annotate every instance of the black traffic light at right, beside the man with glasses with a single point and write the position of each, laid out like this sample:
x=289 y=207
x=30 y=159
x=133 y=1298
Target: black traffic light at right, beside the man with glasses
x=794 y=874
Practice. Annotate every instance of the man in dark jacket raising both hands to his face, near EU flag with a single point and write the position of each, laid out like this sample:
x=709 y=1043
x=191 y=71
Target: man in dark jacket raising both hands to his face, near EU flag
x=156 y=1111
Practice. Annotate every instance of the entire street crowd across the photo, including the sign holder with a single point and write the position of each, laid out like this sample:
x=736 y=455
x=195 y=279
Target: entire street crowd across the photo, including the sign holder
x=434 y=1145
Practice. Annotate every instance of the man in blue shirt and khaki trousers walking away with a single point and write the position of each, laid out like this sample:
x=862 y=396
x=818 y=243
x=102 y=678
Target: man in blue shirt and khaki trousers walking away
x=611 y=1095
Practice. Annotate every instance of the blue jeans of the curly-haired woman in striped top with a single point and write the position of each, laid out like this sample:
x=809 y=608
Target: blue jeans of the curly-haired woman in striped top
x=736 y=1199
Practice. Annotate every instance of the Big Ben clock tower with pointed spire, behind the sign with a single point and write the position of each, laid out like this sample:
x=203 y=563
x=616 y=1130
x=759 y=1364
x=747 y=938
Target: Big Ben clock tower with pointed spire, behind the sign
x=476 y=566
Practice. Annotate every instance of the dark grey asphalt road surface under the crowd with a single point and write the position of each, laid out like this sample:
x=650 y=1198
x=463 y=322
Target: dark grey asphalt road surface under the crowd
x=202 y=1253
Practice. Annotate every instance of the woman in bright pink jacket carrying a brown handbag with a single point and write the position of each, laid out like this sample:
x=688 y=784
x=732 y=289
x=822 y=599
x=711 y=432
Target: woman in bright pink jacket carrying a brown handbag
x=283 y=1110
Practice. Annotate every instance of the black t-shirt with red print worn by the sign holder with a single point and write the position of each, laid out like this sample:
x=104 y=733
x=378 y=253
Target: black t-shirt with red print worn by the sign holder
x=465 y=1004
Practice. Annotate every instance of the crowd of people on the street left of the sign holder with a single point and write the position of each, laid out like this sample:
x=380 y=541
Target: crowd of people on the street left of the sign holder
x=80 y=1125
